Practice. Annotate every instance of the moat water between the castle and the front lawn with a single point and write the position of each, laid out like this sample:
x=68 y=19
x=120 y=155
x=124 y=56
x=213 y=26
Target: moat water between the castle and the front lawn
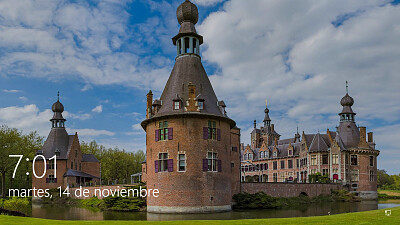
x=74 y=213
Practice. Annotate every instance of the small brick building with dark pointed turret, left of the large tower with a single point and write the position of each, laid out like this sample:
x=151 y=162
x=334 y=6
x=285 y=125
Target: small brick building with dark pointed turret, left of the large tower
x=72 y=168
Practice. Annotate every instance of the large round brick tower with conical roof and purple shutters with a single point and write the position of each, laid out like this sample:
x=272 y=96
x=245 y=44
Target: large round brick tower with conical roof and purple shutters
x=192 y=146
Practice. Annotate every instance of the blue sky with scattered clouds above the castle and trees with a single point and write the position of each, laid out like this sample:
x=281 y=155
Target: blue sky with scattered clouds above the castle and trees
x=104 y=56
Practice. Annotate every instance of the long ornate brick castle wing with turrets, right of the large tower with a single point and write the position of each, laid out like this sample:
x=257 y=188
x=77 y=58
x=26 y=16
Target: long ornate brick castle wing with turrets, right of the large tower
x=344 y=156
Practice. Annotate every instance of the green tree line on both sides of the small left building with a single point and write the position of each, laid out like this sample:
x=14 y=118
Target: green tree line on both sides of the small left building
x=116 y=165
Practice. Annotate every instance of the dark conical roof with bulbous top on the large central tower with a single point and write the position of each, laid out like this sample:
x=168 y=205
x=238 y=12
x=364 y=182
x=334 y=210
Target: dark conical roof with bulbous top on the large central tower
x=188 y=73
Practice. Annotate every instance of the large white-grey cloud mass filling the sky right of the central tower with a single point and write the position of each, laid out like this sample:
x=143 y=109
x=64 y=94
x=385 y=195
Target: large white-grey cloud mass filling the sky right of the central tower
x=291 y=53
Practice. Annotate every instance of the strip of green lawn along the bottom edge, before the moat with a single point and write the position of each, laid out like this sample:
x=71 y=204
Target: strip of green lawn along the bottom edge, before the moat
x=368 y=217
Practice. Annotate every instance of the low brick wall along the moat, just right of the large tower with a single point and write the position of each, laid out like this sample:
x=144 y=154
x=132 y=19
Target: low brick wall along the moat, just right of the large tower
x=290 y=189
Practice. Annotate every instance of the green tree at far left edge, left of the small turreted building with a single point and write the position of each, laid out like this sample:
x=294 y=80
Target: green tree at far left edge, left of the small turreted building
x=13 y=142
